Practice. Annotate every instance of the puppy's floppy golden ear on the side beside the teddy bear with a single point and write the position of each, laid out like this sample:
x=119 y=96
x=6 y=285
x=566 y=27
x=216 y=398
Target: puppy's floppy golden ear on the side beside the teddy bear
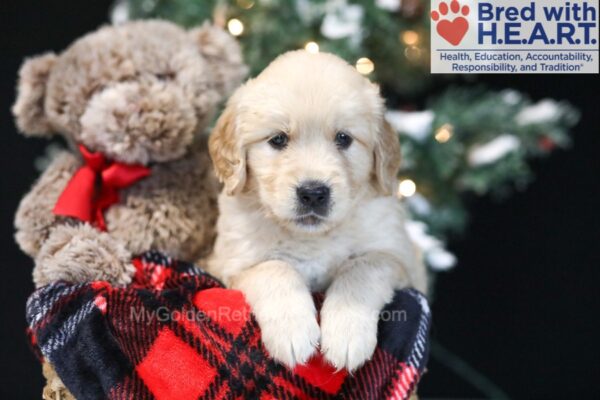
x=227 y=152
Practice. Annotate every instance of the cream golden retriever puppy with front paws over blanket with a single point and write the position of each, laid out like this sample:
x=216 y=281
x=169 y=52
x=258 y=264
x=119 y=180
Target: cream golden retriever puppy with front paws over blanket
x=309 y=170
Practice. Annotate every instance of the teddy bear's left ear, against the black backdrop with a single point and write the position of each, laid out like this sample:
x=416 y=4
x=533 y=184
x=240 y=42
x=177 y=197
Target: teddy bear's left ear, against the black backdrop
x=31 y=93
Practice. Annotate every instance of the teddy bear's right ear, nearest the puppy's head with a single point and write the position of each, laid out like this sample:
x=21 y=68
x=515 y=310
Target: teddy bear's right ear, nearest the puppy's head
x=224 y=55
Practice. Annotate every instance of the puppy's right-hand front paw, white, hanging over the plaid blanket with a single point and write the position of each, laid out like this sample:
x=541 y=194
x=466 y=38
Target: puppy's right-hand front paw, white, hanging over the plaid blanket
x=348 y=337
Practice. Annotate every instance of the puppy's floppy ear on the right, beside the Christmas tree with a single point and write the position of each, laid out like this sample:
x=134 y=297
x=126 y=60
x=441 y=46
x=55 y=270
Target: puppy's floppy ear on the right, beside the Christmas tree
x=387 y=158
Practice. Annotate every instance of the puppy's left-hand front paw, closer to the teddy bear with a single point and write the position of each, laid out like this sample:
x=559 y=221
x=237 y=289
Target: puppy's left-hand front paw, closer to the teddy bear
x=290 y=334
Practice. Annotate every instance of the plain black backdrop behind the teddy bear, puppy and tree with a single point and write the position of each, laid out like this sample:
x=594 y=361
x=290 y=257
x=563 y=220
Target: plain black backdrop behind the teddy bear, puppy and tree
x=521 y=307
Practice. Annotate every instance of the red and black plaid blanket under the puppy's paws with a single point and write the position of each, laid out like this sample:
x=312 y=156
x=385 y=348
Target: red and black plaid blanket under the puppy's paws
x=176 y=333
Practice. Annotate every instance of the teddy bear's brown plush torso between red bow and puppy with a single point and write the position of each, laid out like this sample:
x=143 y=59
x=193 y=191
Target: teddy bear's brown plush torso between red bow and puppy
x=174 y=210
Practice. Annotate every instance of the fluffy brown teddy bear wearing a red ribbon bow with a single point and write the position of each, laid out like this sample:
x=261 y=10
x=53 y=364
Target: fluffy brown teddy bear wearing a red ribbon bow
x=132 y=102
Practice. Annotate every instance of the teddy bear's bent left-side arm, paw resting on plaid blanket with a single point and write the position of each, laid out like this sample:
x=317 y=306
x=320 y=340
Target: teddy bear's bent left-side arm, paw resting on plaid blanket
x=64 y=248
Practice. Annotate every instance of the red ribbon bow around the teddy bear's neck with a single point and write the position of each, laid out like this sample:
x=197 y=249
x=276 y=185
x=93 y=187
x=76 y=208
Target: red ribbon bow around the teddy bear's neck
x=95 y=187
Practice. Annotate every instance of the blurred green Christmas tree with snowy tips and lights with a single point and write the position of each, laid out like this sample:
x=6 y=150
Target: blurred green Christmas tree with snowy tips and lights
x=467 y=140
